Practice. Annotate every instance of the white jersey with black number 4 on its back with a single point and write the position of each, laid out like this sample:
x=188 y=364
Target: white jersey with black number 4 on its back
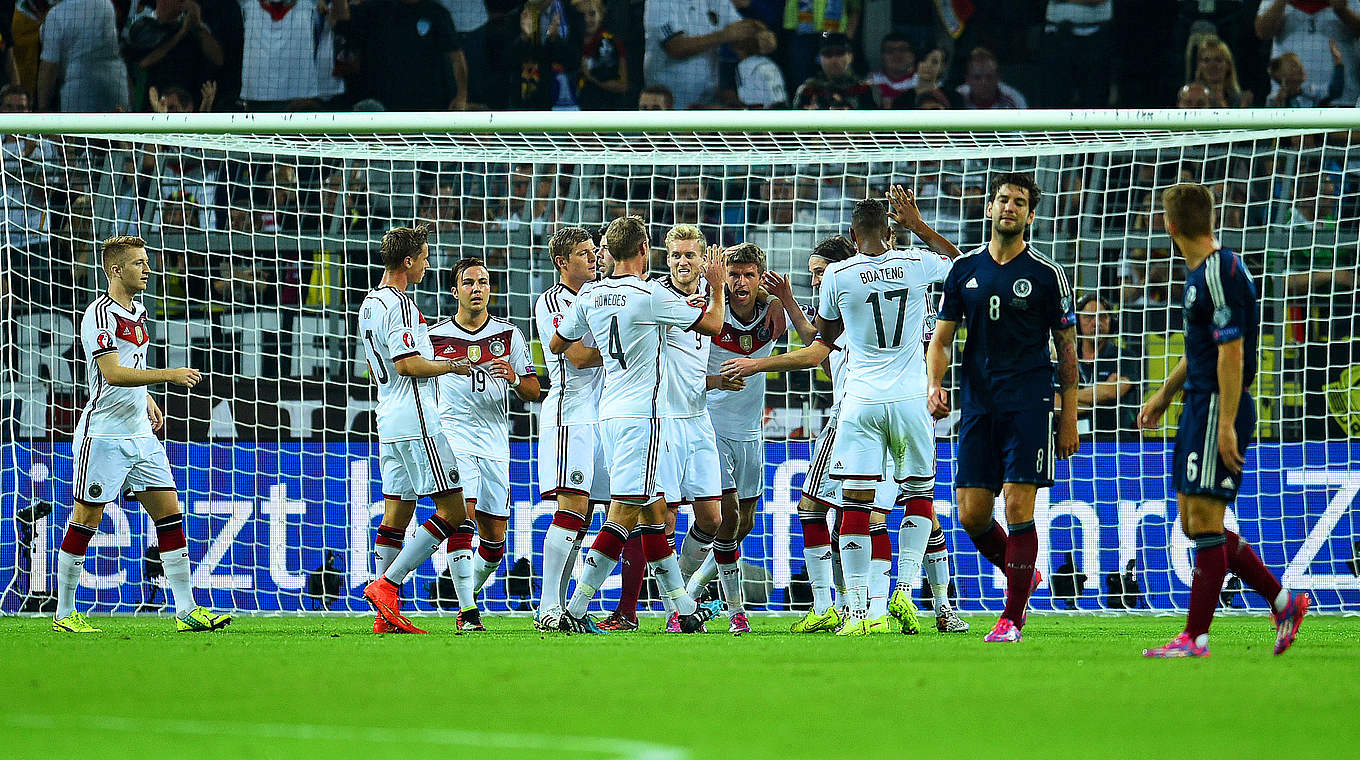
x=629 y=316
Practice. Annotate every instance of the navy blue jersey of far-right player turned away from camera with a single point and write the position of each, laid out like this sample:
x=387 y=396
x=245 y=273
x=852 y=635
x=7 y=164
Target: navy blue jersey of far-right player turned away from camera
x=1221 y=307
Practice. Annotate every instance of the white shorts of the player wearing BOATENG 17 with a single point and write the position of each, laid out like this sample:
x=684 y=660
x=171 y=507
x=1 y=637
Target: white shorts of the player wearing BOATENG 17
x=867 y=432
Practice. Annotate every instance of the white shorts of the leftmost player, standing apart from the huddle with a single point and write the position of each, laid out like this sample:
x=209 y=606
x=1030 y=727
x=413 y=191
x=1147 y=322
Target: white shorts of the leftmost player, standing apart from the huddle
x=105 y=468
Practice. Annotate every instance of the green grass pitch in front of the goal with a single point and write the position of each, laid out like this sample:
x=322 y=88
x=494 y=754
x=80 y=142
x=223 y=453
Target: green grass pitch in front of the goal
x=271 y=687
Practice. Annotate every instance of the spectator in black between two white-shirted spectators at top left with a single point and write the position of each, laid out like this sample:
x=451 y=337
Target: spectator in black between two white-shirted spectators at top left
x=168 y=44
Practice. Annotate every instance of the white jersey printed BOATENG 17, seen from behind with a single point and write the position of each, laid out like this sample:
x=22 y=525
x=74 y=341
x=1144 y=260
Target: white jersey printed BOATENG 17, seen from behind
x=882 y=303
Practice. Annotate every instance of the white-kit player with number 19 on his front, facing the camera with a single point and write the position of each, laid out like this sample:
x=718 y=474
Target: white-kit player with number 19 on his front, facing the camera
x=475 y=414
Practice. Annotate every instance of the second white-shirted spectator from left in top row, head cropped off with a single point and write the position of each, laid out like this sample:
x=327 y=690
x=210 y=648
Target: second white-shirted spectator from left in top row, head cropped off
x=289 y=56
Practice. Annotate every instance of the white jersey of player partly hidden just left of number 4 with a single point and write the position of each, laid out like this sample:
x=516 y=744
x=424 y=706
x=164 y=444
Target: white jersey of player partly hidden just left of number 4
x=573 y=395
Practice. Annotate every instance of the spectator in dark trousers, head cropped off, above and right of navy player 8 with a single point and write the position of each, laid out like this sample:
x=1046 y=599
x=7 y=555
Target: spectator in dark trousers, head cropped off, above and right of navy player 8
x=1076 y=54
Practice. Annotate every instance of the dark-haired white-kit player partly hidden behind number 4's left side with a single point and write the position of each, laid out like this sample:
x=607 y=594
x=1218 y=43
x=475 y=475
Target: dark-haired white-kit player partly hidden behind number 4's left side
x=572 y=464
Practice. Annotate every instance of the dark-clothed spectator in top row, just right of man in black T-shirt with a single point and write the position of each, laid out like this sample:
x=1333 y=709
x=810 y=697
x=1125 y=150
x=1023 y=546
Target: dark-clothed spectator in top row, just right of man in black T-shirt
x=546 y=59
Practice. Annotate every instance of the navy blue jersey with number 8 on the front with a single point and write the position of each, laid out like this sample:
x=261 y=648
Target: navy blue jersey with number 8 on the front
x=1010 y=312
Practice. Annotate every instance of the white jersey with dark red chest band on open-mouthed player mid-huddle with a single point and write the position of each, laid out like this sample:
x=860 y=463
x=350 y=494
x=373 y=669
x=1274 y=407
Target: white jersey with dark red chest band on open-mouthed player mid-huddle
x=738 y=414
